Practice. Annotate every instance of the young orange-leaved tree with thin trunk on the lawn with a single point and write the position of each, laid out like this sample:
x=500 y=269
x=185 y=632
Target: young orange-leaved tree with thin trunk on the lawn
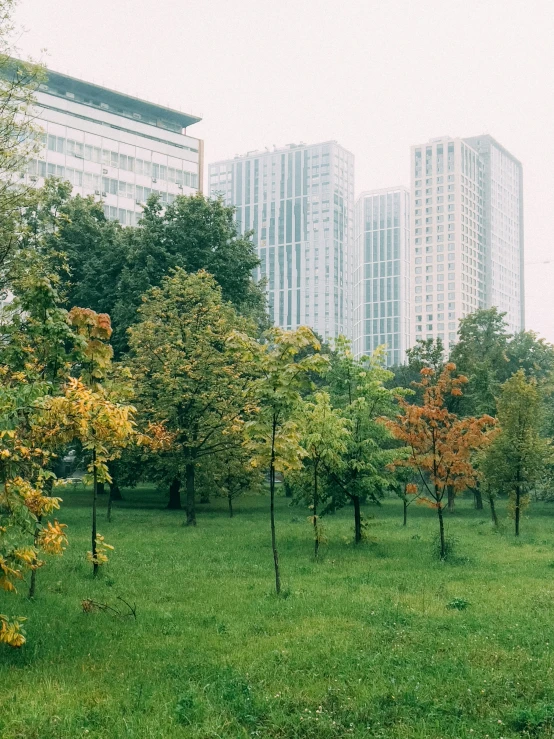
x=441 y=445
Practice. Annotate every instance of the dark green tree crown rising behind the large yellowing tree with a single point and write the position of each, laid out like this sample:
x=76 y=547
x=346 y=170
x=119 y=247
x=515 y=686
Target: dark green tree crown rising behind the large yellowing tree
x=192 y=233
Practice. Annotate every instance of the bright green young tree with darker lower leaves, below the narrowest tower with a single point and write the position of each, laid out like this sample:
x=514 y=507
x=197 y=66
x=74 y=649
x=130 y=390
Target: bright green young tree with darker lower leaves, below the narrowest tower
x=358 y=389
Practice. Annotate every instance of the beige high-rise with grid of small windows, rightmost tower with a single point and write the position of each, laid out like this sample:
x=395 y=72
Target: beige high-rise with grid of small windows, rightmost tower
x=456 y=241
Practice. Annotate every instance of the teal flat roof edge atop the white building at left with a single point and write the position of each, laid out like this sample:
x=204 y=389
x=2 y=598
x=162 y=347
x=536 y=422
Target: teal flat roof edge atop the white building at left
x=96 y=96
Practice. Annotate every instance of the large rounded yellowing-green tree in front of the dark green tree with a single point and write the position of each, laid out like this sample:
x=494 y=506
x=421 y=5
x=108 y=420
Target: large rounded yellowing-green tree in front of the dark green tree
x=186 y=376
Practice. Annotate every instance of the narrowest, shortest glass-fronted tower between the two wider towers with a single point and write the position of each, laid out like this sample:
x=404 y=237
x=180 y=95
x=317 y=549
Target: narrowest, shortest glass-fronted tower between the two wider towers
x=381 y=282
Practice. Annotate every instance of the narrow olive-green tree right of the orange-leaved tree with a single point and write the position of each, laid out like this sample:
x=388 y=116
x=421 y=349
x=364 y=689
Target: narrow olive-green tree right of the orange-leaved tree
x=516 y=457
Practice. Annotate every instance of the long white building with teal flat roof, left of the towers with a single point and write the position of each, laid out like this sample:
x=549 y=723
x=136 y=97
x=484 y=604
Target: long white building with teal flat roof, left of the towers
x=114 y=146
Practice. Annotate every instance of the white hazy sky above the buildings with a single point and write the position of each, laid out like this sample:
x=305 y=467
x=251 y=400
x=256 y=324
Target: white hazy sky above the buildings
x=376 y=75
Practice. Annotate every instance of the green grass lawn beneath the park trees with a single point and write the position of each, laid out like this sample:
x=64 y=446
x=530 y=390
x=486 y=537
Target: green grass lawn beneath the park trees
x=380 y=640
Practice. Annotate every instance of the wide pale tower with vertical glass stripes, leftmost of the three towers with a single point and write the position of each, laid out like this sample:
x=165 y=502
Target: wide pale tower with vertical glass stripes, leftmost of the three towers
x=298 y=201
